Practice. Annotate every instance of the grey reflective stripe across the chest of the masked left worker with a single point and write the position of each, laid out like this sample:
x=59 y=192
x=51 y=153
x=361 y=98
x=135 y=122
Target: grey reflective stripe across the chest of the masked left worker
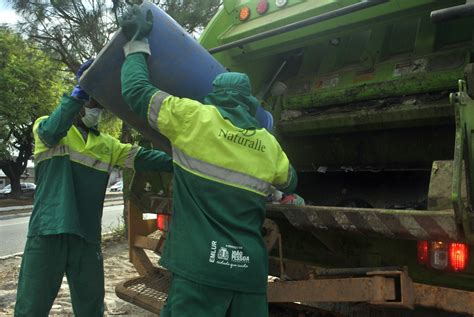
x=64 y=150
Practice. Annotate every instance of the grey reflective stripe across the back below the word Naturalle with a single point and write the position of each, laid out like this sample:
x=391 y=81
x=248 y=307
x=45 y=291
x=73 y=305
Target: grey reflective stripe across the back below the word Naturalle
x=220 y=174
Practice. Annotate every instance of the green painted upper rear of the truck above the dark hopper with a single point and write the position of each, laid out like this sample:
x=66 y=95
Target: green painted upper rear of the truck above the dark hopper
x=391 y=49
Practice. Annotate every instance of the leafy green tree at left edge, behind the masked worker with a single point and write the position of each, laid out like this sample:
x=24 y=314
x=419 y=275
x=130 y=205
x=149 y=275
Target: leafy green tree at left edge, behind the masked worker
x=30 y=84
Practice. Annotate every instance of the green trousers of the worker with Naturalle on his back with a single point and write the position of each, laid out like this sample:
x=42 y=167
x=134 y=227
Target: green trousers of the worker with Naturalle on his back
x=189 y=299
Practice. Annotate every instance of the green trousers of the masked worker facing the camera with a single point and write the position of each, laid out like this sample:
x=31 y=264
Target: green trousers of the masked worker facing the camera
x=45 y=260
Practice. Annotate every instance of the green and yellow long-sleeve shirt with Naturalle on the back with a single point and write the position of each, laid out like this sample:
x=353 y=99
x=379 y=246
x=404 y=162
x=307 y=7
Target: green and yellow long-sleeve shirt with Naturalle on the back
x=222 y=175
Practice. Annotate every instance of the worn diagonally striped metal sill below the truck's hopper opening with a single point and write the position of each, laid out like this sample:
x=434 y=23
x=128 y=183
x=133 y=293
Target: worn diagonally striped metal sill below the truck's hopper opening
x=399 y=224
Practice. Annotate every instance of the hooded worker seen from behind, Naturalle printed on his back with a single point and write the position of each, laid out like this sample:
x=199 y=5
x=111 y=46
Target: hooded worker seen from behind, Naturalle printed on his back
x=224 y=166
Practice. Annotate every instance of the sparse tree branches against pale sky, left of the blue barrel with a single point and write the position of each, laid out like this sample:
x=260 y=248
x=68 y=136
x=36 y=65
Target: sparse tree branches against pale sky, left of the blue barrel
x=72 y=31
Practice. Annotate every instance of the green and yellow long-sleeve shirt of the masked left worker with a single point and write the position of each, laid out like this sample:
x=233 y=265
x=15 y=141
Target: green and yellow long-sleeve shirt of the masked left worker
x=72 y=173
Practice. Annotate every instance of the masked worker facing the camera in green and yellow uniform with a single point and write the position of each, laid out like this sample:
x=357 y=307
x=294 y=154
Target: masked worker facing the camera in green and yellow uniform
x=73 y=163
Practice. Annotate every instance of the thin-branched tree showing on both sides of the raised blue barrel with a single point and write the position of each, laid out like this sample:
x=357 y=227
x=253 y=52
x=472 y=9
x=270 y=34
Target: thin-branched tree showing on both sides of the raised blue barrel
x=75 y=30
